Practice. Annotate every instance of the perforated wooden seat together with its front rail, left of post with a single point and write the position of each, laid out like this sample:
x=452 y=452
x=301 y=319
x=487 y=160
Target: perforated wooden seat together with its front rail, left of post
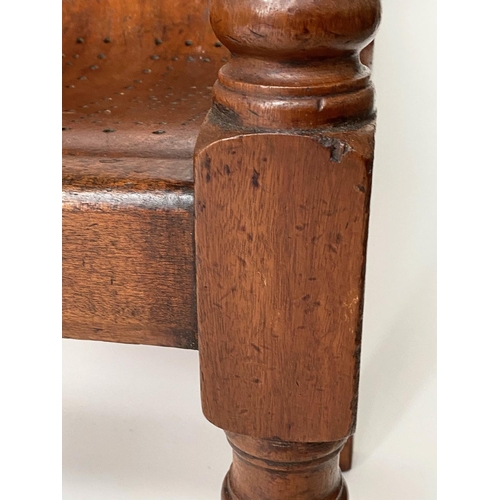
x=137 y=81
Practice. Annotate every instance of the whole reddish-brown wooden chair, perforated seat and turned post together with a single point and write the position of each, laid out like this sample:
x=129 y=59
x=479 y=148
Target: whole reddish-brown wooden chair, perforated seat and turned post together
x=282 y=145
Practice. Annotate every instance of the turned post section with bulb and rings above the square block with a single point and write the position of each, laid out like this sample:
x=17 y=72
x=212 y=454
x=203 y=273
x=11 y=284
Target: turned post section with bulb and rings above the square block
x=295 y=63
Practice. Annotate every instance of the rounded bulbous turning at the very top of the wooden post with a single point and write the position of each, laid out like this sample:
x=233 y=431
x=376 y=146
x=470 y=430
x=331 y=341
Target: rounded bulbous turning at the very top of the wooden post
x=295 y=29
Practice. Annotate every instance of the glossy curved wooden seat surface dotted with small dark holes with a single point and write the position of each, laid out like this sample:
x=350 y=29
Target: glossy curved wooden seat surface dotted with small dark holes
x=137 y=76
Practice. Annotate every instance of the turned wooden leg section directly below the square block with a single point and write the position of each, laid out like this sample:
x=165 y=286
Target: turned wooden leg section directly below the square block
x=275 y=470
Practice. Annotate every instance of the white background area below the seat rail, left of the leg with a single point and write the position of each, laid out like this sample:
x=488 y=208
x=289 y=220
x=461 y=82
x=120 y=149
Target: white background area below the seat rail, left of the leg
x=129 y=426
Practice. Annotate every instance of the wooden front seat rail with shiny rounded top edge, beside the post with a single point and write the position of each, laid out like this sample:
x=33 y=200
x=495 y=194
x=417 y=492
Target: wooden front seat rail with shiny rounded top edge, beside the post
x=128 y=266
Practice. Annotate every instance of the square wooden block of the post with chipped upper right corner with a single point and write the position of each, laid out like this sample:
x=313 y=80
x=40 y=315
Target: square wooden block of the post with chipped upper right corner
x=281 y=228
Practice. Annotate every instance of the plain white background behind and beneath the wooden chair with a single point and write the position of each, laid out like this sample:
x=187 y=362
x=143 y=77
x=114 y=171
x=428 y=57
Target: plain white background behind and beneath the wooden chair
x=132 y=424
